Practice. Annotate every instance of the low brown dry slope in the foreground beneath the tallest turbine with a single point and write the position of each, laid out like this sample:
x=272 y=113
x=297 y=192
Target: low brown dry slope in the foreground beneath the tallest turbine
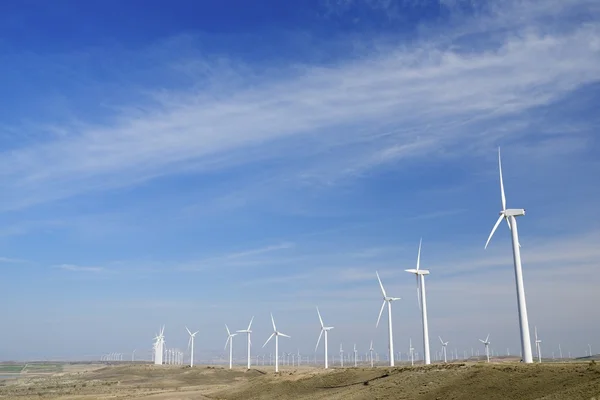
x=453 y=381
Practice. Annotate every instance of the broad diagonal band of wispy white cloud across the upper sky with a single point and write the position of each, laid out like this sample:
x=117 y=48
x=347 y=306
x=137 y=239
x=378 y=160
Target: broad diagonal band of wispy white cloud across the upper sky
x=370 y=108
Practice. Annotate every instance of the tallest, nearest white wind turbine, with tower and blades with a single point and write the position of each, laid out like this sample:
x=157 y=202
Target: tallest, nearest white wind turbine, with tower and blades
x=510 y=216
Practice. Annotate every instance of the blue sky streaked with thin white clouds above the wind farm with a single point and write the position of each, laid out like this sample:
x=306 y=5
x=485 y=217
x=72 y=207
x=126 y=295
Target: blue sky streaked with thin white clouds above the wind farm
x=198 y=163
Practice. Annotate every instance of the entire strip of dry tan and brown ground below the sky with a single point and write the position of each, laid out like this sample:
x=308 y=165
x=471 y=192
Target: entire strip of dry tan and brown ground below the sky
x=450 y=381
